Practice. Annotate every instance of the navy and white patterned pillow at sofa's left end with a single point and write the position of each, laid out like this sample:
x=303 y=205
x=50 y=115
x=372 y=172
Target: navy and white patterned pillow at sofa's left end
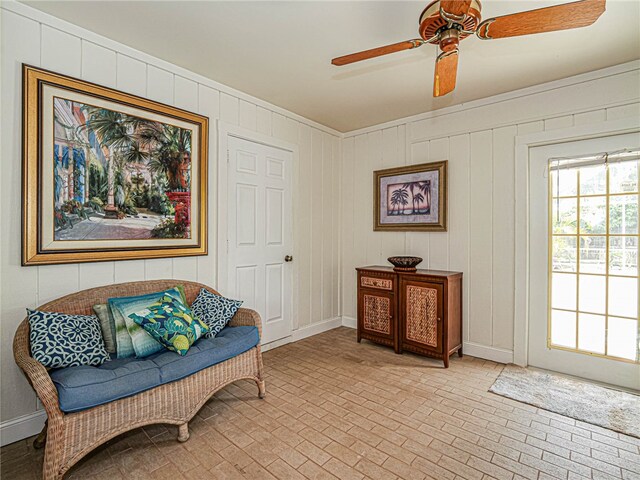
x=62 y=340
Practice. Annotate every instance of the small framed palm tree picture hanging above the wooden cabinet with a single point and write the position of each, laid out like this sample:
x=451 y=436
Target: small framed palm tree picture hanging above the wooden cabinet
x=411 y=198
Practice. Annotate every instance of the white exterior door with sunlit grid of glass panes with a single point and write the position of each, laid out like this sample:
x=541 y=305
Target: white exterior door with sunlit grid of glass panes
x=583 y=263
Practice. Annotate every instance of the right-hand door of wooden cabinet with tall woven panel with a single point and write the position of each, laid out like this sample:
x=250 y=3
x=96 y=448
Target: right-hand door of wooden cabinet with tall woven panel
x=422 y=310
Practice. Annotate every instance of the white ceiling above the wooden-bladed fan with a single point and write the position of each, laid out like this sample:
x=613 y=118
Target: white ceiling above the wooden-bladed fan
x=281 y=51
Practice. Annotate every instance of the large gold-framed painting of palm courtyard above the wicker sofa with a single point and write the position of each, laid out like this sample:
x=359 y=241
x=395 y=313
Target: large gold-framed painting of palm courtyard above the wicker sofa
x=107 y=175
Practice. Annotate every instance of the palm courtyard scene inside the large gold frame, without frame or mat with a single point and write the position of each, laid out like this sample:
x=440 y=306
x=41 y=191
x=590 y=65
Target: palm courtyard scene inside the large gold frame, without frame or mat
x=118 y=176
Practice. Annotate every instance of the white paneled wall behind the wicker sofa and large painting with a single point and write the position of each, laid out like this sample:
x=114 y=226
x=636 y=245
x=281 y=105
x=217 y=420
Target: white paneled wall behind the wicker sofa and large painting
x=29 y=36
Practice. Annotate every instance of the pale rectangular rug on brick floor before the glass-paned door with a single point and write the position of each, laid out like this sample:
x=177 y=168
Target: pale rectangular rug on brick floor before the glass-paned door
x=580 y=400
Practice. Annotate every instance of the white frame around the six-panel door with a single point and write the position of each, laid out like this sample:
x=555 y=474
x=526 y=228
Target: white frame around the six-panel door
x=226 y=130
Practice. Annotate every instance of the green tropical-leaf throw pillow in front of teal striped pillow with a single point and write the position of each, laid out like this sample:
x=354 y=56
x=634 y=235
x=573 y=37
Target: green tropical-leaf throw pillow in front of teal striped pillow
x=171 y=323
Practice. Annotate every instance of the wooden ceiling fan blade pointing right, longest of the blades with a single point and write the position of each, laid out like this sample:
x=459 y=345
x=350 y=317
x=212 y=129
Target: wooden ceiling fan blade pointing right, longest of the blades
x=549 y=19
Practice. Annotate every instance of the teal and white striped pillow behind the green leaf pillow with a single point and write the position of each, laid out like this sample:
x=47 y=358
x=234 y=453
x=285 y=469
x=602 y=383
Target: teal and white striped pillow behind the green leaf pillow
x=131 y=339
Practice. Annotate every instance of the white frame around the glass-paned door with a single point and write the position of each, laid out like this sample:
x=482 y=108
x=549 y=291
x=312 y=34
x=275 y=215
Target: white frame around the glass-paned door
x=524 y=144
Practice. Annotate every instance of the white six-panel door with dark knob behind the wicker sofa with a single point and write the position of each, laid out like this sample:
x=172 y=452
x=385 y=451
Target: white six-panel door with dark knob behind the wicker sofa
x=260 y=240
